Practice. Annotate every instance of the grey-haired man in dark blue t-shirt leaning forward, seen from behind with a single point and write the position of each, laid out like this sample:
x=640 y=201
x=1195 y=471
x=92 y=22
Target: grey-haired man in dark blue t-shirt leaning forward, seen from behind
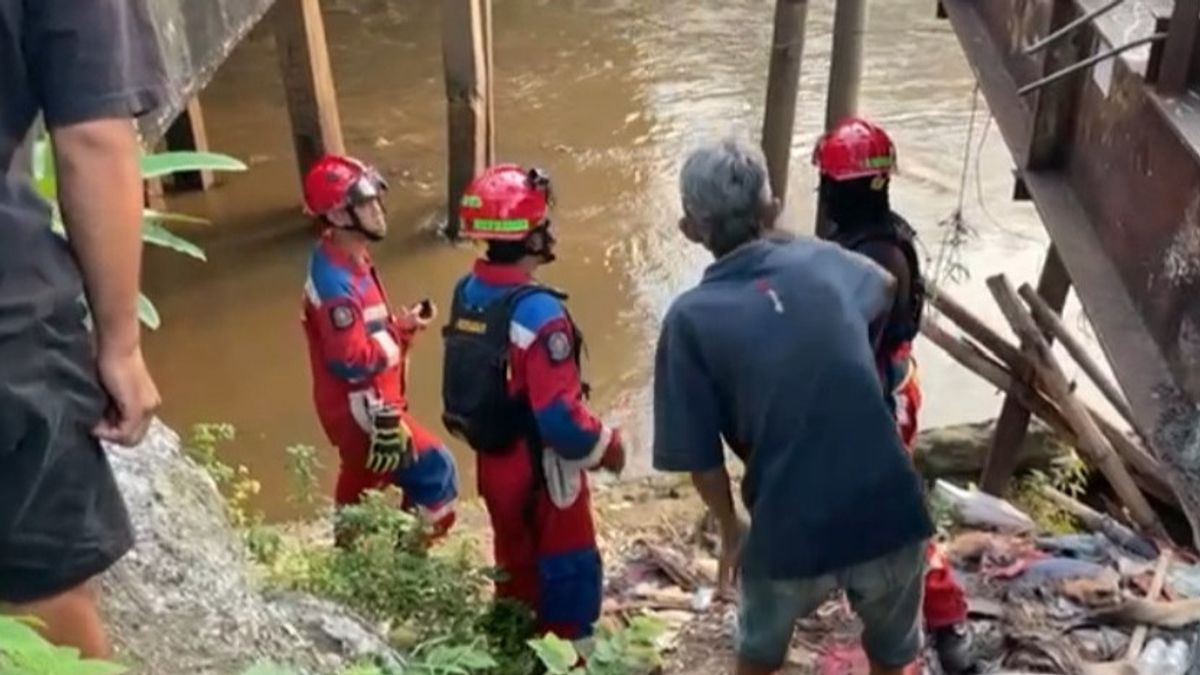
x=773 y=353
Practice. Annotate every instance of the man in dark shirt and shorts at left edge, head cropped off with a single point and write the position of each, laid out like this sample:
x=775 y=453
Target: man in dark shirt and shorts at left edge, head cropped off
x=88 y=68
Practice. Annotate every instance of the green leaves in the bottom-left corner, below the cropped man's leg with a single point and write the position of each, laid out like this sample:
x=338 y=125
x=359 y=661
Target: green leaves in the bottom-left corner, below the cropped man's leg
x=25 y=652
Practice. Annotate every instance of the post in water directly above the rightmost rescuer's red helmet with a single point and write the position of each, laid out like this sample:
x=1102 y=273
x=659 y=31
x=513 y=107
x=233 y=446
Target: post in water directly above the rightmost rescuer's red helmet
x=845 y=73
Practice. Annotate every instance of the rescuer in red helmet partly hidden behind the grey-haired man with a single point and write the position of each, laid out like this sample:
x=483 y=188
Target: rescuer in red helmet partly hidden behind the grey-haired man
x=856 y=160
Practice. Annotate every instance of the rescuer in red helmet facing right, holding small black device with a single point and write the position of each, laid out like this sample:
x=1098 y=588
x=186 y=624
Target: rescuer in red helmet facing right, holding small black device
x=359 y=353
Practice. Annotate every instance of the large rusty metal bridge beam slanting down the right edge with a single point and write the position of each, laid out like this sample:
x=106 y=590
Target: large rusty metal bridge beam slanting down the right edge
x=1121 y=201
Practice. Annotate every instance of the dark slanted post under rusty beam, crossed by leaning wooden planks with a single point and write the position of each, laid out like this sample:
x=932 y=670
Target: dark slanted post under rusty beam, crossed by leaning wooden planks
x=1015 y=419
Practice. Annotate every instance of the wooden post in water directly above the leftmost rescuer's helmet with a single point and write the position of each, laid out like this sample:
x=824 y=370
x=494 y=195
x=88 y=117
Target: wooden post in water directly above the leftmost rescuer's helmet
x=308 y=81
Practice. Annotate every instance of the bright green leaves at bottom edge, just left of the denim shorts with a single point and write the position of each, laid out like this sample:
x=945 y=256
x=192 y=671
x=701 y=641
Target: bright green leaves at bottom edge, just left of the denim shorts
x=632 y=650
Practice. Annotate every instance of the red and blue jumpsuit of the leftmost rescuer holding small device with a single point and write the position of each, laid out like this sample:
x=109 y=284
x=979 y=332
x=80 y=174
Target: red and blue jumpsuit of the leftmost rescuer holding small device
x=359 y=354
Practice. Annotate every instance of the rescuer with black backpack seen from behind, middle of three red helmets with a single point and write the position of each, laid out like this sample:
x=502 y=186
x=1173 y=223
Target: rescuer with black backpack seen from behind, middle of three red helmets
x=512 y=390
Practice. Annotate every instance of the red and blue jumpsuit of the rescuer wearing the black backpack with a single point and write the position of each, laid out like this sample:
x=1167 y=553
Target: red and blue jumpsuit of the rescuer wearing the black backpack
x=542 y=516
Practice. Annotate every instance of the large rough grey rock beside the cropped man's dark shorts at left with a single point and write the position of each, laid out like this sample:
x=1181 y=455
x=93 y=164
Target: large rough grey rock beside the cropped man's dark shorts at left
x=185 y=601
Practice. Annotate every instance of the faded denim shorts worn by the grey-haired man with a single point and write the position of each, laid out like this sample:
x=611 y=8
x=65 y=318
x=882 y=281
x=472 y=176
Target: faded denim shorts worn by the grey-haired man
x=886 y=594
